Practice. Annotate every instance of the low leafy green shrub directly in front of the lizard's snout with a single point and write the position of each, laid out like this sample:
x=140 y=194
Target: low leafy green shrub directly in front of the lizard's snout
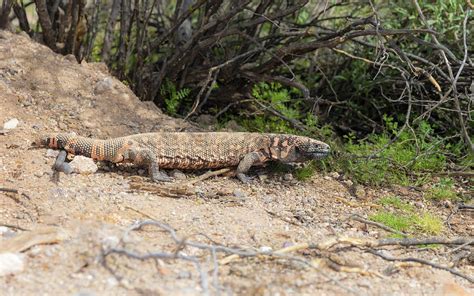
x=378 y=161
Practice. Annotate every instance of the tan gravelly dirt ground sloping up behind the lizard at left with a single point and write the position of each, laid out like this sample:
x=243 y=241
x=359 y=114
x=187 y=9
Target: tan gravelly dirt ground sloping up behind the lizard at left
x=49 y=92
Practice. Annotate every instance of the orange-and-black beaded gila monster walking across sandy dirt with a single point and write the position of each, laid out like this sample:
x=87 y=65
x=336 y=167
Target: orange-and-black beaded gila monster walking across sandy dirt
x=188 y=150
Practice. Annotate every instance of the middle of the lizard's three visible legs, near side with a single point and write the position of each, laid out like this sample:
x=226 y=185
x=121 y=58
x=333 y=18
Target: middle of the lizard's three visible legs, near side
x=145 y=157
